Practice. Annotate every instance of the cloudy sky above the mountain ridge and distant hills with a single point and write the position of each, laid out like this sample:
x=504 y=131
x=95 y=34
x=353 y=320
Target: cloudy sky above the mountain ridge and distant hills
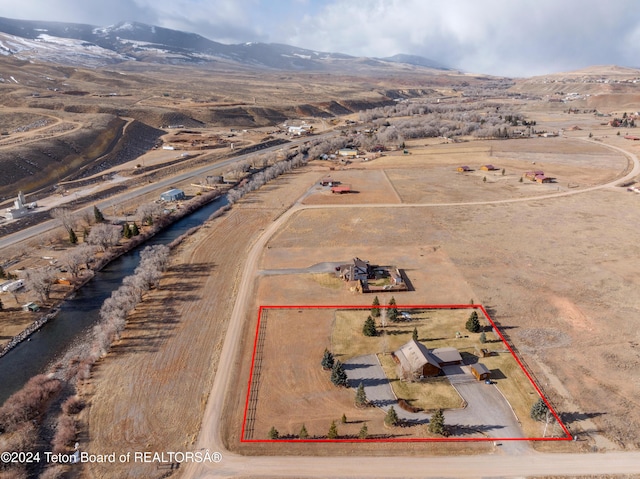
x=501 y=37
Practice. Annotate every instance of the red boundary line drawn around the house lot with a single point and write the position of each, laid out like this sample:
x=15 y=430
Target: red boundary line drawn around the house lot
x=568 y=436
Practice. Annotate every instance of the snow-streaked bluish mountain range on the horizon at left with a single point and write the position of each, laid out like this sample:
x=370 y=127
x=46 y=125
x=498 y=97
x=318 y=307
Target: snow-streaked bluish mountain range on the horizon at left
x=88 y=45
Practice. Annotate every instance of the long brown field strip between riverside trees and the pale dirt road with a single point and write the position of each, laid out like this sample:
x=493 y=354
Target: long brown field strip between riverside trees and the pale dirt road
x=168 y=353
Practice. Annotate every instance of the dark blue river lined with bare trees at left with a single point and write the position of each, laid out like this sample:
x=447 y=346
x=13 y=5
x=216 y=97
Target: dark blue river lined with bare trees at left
x=78 y=314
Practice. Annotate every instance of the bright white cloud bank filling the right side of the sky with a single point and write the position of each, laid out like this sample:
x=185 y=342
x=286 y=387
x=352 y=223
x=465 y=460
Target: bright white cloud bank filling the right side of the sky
x=492 y=36
